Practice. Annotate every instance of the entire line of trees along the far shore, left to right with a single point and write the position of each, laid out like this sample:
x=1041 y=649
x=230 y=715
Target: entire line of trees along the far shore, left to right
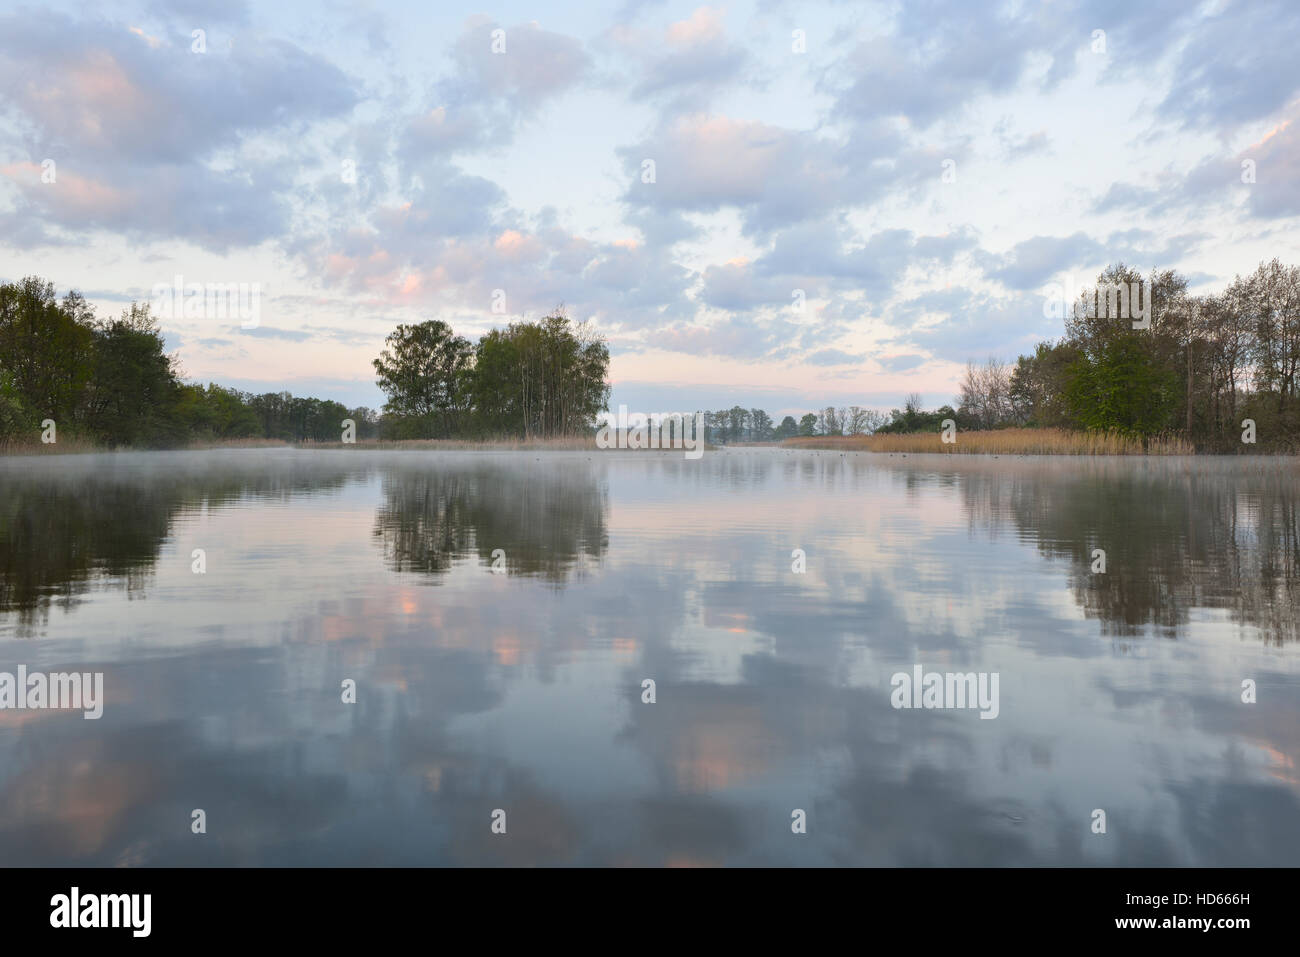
x=1198 y=367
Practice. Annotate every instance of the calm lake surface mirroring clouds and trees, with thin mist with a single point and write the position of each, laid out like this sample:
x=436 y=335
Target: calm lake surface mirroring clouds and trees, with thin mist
x=523 y=690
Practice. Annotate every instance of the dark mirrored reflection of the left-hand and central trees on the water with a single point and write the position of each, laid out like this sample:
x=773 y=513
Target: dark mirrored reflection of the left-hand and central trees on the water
x=72 y=523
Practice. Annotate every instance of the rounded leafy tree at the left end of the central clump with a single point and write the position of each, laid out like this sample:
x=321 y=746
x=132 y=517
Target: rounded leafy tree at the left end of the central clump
x=424 y=374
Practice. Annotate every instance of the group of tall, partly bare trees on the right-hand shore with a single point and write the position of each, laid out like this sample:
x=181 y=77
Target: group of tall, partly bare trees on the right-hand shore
x=1198 y=366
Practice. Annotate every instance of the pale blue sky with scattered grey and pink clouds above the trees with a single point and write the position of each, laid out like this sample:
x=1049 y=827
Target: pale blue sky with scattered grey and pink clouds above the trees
x=772 y=205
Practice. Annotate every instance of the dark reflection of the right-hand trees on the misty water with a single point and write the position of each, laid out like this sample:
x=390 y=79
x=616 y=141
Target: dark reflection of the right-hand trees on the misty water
x=1178 y=536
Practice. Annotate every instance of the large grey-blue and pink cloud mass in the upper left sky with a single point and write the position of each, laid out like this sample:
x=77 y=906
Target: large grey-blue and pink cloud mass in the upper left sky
x=141 y=131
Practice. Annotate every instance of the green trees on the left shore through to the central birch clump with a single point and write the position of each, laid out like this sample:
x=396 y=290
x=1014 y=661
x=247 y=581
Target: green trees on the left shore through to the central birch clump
x=112 y=383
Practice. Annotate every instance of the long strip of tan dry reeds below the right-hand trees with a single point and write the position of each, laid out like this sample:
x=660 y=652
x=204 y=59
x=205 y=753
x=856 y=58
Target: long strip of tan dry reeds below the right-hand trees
x=1004 y=443
